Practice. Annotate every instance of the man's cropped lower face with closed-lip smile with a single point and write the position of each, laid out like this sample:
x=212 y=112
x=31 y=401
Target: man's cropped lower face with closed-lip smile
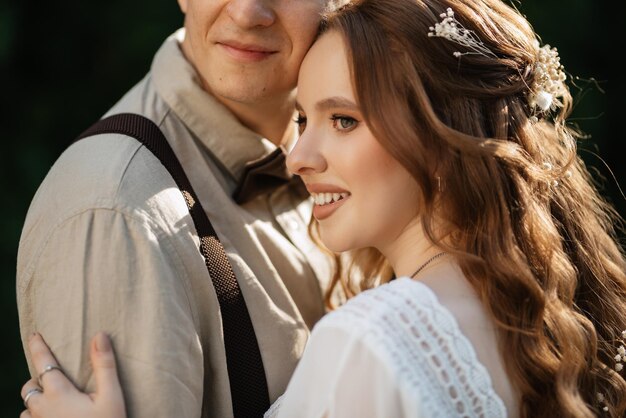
x=249 y=51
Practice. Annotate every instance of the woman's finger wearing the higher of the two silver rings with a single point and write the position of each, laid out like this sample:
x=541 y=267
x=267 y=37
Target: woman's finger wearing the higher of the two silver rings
x=49 y=373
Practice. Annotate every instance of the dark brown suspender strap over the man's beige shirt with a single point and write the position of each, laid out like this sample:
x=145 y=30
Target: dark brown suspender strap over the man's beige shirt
x=248 y=386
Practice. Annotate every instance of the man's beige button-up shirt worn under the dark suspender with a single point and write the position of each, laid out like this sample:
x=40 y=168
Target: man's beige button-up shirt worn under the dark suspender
x=108 y=244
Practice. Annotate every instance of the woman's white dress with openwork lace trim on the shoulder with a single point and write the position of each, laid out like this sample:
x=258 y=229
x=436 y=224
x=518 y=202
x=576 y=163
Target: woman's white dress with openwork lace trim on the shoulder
x=393 y=351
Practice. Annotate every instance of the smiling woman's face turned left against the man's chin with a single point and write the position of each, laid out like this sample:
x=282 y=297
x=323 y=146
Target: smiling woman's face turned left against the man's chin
x=363 y=197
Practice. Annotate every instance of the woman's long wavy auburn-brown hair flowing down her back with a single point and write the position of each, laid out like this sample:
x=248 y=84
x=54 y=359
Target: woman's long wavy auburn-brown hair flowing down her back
x=517 y=206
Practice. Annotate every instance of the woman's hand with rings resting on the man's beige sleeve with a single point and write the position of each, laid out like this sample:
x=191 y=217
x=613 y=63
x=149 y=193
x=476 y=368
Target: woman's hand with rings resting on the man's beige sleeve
x=52 y=395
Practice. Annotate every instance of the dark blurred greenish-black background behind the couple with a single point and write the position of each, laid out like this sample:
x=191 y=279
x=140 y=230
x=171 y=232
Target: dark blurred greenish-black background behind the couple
x=64 y=63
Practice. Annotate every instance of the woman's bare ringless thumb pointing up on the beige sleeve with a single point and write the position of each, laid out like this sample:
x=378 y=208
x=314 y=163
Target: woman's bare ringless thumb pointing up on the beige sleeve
x=104 y=368
